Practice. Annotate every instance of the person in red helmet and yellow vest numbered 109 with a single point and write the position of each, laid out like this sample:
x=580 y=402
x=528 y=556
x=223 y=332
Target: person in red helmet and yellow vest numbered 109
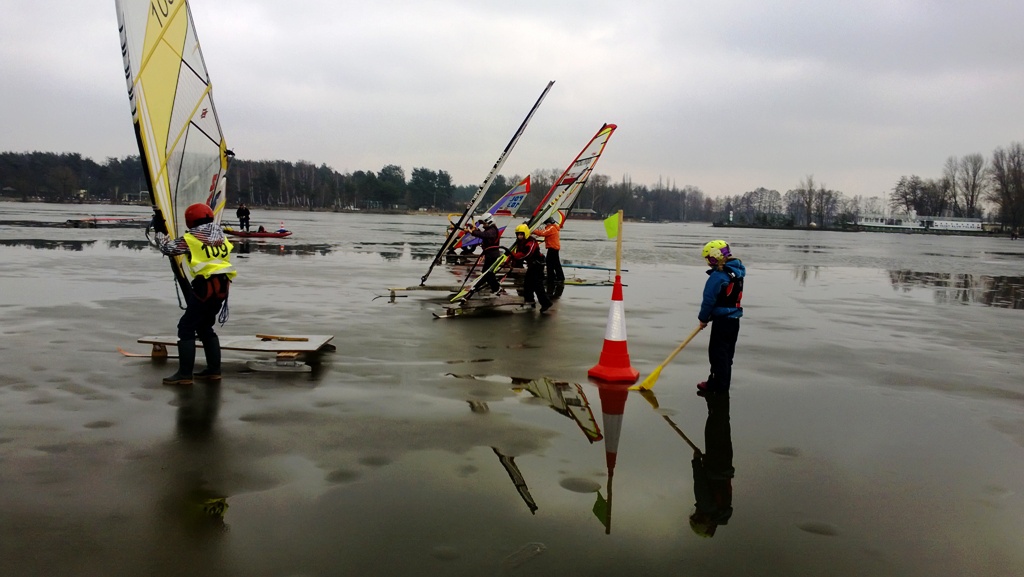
x=207 y=254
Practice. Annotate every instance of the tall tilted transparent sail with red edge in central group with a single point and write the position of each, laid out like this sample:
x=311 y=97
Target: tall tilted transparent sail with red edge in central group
x=567 y=186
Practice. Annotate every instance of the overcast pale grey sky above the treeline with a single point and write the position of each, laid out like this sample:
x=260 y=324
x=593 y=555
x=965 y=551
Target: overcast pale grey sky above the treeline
x=726 y=96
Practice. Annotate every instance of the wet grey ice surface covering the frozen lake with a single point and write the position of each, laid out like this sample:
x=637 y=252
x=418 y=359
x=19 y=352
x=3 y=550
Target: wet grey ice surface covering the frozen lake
x=877 y=411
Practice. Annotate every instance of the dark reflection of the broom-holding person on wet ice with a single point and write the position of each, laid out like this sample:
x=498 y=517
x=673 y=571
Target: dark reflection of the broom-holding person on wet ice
x=713 y=470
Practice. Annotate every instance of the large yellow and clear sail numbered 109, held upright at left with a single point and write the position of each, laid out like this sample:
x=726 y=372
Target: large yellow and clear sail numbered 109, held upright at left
x=180 y=136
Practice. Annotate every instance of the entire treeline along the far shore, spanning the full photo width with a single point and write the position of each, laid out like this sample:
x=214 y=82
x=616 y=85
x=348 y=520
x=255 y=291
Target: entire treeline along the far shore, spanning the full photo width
x=965 y=184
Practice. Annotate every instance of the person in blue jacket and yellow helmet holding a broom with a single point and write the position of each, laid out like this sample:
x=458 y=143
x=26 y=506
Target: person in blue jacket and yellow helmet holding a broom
x=722 y=309
